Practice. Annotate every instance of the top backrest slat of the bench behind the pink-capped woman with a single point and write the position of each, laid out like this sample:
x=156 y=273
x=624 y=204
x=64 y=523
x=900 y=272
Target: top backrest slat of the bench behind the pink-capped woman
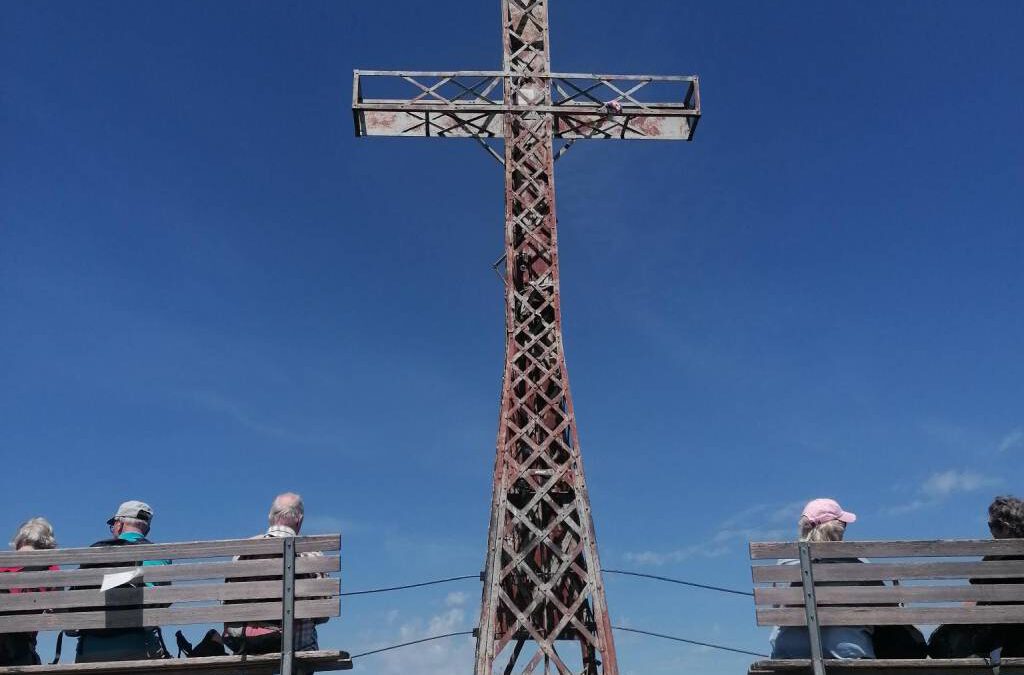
x=933 y=549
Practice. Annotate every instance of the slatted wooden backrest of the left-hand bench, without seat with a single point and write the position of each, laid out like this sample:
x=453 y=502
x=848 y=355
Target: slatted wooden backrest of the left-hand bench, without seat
x=203 y=584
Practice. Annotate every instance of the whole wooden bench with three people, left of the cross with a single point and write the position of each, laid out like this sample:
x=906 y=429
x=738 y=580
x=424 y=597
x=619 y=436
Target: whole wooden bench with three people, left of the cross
x=203 y=585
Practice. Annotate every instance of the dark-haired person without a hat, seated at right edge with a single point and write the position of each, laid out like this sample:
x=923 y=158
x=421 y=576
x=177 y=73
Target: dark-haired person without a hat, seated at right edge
x=1006 y=521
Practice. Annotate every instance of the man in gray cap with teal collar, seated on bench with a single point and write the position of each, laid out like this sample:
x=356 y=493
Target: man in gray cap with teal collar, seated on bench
x=130 y=525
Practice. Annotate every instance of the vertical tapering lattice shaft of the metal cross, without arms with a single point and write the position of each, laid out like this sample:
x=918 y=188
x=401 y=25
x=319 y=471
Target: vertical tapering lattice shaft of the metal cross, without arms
x=543 y=579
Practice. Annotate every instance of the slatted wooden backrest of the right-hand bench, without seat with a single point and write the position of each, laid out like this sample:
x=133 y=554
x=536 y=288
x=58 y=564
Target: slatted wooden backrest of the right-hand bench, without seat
x=921 y=583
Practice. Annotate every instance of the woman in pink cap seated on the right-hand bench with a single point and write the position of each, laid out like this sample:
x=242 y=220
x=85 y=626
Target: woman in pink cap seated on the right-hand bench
x=824 y=521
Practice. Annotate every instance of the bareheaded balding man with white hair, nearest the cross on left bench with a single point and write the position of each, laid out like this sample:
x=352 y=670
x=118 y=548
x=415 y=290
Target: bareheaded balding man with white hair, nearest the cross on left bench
x=287 y=513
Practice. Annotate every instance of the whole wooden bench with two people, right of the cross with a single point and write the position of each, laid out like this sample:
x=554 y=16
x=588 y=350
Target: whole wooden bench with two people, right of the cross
x=927 y=583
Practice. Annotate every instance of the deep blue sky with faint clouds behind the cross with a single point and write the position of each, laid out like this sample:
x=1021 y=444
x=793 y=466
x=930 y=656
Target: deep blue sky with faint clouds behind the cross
x=212 y=292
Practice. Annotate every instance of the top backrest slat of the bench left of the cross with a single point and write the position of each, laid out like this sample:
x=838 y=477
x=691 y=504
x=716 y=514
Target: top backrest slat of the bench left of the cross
x=187 y=551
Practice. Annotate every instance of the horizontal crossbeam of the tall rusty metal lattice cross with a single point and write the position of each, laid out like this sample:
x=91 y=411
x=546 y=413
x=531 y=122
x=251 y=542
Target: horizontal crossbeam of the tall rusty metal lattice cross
x=470 y=104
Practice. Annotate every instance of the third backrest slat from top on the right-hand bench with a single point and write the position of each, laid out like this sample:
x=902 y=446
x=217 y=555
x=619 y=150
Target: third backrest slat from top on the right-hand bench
x=893 y=595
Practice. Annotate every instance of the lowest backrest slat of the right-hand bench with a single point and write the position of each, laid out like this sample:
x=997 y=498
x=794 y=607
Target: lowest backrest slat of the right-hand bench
x=893 y=616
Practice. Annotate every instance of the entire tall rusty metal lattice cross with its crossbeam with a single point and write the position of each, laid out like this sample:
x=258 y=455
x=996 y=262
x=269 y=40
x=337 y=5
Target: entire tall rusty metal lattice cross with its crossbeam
x=543 y=578
